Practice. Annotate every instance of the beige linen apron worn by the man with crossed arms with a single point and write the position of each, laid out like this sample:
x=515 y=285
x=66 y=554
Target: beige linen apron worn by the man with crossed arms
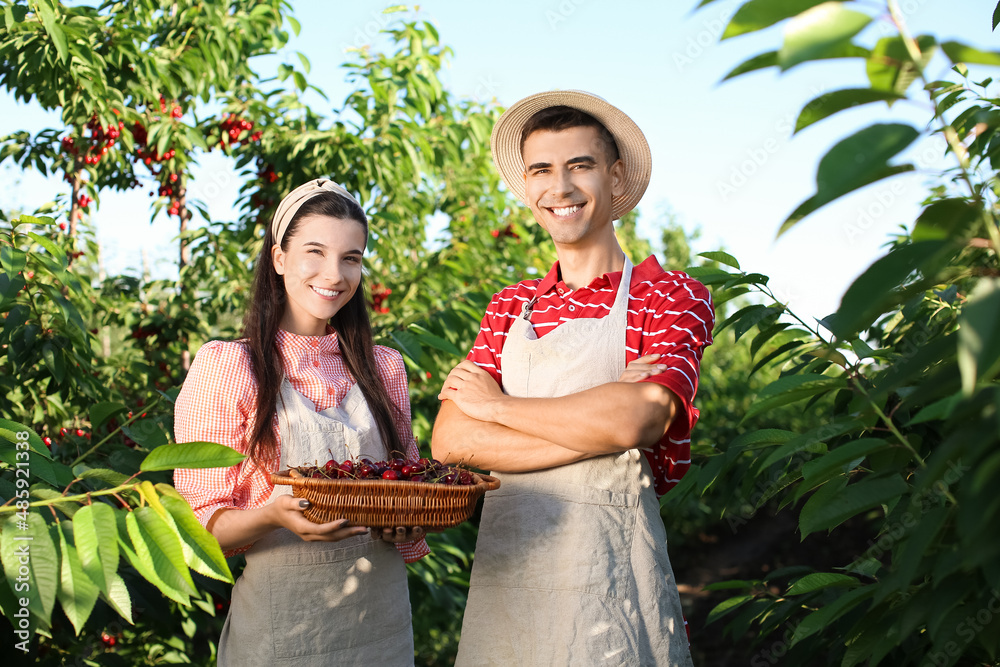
x=571 y=563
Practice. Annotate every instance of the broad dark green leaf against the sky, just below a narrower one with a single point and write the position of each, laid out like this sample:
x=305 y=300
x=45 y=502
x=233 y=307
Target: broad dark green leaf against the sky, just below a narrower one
x=855 y=162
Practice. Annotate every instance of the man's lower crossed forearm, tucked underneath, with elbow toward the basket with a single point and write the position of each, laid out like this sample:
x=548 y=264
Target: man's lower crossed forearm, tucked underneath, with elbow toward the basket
x=488 y=446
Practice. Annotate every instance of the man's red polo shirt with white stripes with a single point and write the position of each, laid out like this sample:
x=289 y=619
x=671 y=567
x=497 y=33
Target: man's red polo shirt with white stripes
x=669 y=314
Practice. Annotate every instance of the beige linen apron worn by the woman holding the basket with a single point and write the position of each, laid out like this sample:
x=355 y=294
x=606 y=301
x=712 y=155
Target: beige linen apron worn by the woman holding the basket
x=320 y=603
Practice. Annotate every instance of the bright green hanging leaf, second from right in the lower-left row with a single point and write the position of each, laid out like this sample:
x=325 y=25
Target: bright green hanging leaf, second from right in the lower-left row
x=159 y=548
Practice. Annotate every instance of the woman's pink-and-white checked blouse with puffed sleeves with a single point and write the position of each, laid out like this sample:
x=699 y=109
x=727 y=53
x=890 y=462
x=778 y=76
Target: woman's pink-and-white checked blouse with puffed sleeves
x=218 y=403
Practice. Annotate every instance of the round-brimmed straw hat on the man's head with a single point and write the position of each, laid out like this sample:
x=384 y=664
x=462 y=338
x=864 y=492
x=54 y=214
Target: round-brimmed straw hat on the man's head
x=632 y=147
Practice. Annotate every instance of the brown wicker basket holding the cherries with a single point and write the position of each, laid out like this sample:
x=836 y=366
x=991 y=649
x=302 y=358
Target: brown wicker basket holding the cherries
x=378 y=503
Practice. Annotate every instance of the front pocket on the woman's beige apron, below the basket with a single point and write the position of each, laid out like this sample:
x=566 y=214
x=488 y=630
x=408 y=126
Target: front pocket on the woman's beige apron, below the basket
x=339 y=601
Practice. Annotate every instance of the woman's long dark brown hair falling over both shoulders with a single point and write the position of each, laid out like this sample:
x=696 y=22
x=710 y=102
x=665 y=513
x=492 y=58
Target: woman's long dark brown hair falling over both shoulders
x=354 y=331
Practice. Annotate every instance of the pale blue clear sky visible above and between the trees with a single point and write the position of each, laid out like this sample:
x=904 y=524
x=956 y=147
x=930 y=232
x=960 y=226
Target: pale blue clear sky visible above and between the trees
x=723 y=156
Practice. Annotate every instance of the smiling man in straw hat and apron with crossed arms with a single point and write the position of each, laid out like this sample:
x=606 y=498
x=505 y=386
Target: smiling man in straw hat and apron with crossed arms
x=571 y=563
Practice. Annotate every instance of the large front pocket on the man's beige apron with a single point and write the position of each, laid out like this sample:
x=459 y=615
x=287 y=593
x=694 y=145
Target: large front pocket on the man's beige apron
x=571 y=539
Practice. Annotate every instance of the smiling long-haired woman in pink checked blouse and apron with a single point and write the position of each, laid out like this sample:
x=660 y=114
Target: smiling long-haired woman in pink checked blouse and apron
x=303 y=385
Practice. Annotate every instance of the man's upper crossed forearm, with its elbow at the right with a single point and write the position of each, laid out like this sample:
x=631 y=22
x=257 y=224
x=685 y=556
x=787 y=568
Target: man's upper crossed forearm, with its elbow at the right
x=608 y=418
